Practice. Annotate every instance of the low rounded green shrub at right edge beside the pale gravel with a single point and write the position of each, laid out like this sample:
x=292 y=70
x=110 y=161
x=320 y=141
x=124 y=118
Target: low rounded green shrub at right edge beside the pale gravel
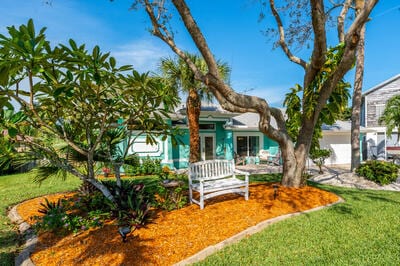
x=380 y=172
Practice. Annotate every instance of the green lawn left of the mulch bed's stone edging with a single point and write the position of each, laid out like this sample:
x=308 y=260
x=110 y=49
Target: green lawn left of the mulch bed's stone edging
x=17 y=188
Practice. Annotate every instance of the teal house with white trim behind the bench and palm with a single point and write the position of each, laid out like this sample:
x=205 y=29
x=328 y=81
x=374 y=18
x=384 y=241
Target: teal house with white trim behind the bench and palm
x=223 y=135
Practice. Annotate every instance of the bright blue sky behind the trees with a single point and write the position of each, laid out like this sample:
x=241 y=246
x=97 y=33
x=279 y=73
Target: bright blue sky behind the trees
x=230 y=27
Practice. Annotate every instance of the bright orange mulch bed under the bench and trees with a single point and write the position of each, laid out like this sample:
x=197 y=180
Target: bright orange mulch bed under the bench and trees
x=172 y=236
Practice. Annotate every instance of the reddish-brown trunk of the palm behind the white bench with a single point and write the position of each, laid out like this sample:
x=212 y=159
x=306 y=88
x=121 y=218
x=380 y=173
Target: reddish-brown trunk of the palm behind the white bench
x=193 y=106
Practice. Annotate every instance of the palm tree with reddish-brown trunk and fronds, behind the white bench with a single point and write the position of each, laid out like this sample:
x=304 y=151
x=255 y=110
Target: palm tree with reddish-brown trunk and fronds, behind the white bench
x=177 y=72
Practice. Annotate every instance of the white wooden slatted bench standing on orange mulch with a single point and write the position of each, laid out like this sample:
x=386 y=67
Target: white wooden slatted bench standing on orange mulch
x=216 y=177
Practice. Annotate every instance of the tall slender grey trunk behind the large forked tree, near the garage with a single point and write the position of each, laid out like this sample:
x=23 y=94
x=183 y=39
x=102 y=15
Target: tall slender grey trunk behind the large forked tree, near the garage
x=356 y=104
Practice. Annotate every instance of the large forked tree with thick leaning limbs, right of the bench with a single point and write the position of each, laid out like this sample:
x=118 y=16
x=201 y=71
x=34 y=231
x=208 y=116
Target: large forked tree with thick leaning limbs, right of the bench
x=294 y=154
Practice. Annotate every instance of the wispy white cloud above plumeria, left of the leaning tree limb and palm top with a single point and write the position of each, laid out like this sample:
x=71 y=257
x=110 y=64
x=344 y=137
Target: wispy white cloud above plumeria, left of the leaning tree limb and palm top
x=144 y=55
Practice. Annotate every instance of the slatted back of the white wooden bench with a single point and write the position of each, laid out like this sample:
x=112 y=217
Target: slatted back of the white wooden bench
x=212 y=169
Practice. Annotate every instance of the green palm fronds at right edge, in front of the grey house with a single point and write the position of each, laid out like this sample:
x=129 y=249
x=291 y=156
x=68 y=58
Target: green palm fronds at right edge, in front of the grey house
x=391 y=116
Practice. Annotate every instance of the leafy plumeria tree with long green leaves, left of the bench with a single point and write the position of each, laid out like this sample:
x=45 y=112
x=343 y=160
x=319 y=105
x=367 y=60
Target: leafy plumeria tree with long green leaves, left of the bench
x=73 y=98
